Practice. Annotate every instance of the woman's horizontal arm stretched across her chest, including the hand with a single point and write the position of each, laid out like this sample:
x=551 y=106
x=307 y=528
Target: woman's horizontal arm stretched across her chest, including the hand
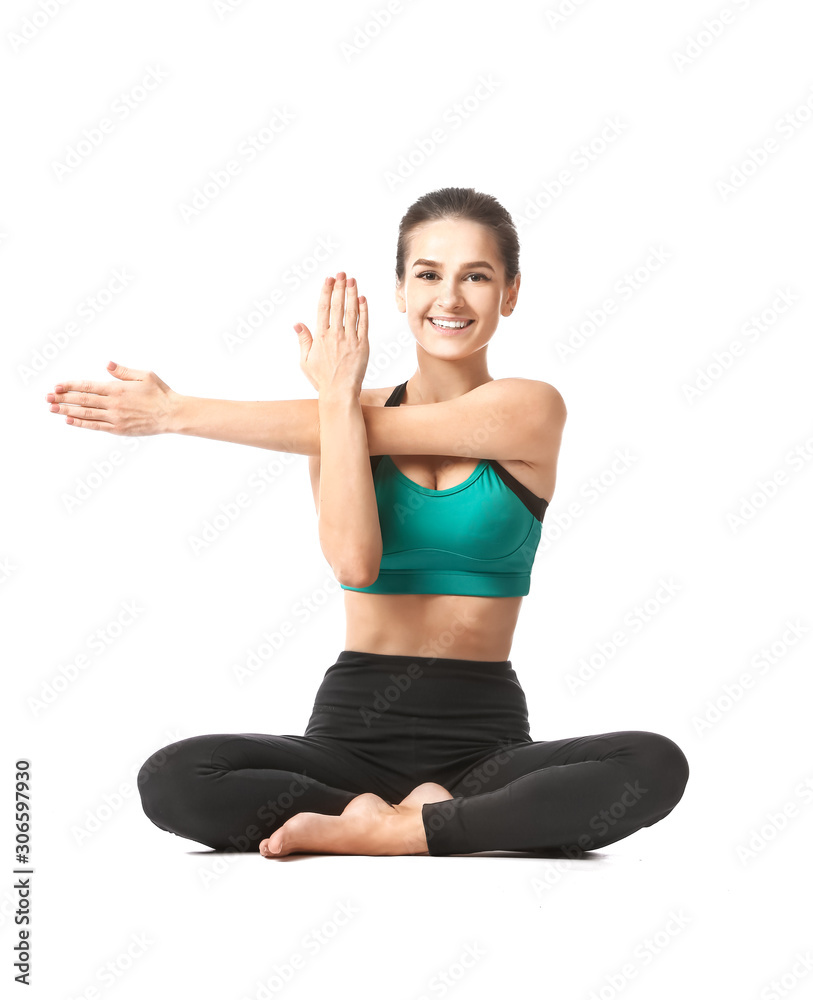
x=508 y=418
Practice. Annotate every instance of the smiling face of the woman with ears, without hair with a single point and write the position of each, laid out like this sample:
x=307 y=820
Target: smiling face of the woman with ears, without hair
x=453 y=270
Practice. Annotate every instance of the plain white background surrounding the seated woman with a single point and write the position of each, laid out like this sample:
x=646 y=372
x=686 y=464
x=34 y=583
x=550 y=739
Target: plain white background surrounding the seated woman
x=695 y=105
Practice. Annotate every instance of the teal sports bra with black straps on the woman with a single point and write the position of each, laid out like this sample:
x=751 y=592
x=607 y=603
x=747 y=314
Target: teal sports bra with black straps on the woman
x=478 y=538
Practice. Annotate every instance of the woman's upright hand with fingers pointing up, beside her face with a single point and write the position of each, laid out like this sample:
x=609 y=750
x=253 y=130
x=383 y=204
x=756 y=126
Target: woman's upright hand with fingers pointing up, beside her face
x=337 y=356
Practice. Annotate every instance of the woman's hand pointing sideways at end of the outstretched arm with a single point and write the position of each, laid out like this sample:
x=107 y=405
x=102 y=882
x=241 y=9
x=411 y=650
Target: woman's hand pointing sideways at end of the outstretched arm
x=138 y=405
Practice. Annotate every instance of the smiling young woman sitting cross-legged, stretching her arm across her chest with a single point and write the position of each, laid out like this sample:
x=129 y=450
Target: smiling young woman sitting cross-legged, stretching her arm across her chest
x=430 y=498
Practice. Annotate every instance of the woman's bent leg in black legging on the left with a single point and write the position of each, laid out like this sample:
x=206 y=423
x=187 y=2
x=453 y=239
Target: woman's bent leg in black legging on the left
x=231 y=791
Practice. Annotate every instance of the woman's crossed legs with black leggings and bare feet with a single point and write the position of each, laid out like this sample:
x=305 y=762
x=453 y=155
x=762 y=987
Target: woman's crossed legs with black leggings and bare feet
x=235 y=792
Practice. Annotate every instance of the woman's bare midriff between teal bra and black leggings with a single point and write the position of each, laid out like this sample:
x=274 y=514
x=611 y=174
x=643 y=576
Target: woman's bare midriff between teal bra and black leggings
x=449 y=626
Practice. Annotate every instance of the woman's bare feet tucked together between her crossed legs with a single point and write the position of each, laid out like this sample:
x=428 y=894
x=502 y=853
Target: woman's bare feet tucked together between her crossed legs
x=368 y=825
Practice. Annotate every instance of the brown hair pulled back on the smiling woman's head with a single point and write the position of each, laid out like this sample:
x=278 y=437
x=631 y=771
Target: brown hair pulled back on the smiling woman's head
x=461 y=203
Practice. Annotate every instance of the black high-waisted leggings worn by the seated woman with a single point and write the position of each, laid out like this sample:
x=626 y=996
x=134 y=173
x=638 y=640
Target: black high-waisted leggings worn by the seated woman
x=385 y=723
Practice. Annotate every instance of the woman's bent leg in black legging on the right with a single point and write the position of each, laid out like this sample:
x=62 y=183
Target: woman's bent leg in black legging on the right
x=575 y=794
